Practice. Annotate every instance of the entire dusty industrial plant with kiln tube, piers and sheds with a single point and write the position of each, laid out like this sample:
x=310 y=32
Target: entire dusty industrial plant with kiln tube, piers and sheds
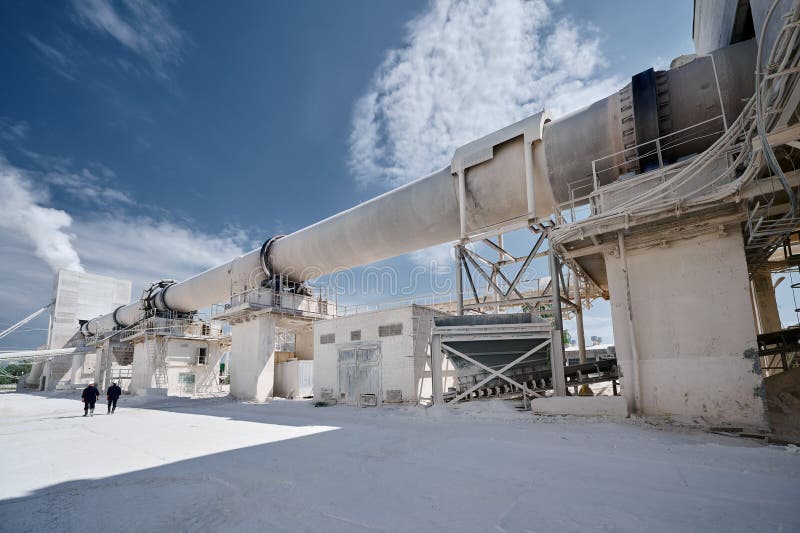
x=675 y=198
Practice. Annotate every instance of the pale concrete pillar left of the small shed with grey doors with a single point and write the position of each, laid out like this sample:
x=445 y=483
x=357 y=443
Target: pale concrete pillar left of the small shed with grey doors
x=253 y=358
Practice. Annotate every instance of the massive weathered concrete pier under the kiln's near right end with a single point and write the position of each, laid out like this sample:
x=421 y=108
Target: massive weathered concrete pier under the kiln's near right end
x=692 y=366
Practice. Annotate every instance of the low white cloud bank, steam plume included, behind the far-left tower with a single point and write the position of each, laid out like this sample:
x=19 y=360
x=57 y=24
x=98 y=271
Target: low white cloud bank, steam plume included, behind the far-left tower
x=36 y=240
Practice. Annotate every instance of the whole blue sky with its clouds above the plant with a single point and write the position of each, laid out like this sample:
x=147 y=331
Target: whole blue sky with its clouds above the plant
x=155 y=139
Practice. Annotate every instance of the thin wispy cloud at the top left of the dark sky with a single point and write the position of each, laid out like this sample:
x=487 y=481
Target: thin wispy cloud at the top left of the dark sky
x=143 y=26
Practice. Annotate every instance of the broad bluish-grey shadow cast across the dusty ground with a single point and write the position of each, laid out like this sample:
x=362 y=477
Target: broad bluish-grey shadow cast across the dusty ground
x=397 y=474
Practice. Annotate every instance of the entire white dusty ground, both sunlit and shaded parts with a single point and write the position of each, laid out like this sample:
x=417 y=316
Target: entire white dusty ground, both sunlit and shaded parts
x=219 y=465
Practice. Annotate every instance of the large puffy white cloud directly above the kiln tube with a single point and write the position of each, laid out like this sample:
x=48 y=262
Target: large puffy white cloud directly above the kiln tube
x=469 y=67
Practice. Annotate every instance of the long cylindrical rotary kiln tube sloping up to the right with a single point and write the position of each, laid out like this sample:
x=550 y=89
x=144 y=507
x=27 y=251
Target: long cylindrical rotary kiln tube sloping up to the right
x=426 y=212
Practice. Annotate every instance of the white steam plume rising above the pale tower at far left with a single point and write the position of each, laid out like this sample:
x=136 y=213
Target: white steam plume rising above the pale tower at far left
x=22 y=212
